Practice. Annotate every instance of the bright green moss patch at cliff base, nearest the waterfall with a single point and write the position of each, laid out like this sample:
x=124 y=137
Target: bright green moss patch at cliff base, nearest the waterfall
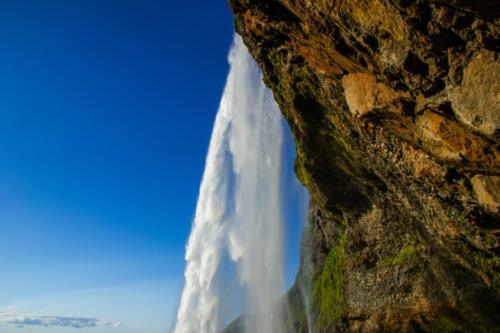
x=328 y=289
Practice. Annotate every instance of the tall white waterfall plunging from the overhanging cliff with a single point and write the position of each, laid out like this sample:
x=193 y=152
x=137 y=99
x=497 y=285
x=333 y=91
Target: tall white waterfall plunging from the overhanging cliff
x=238 y=213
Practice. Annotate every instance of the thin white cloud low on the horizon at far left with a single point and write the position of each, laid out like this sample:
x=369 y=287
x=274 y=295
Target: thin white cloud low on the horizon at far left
x=20 y=320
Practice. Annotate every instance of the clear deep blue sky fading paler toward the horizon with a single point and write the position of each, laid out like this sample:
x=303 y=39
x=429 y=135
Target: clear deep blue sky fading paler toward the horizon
x=106 y=109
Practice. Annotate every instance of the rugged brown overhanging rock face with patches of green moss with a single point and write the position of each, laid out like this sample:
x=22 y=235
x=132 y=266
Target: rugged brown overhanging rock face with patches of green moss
x=394 y=106
